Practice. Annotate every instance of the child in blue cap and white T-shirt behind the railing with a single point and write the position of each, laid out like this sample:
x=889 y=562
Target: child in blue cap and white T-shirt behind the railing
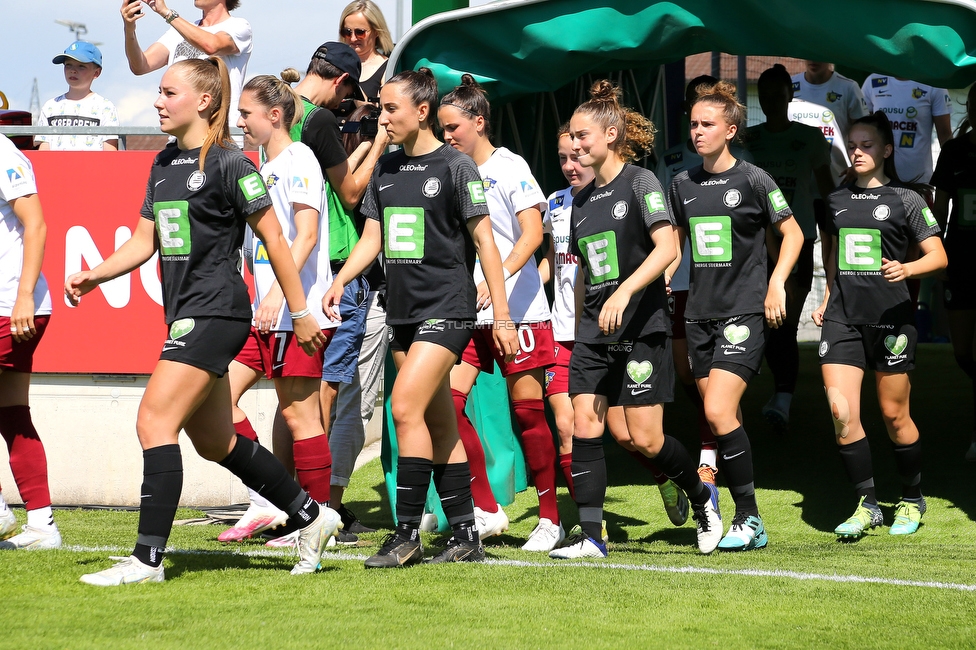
x=80 y=106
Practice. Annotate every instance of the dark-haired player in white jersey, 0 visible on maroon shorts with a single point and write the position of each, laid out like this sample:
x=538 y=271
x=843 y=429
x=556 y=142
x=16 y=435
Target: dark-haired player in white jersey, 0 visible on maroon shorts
x=516 y=204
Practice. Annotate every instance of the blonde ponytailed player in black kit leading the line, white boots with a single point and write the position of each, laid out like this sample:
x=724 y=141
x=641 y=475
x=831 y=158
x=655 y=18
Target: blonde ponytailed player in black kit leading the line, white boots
x=201 y=192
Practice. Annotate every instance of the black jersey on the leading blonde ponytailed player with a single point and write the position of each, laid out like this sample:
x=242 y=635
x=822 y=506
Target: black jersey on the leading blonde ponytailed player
x=200 y=219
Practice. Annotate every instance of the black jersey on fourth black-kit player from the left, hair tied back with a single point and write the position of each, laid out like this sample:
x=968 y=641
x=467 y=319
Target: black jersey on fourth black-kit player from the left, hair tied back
x=725 y=217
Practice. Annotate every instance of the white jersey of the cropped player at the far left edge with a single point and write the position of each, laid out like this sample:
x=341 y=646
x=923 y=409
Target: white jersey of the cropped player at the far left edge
x=16 y=181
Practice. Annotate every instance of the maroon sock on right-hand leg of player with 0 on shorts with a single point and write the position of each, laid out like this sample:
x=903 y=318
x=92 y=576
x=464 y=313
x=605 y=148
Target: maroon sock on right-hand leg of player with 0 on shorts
x=540 y=452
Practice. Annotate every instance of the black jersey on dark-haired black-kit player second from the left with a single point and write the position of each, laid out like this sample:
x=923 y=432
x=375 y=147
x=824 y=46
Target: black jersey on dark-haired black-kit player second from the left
x=423 y=204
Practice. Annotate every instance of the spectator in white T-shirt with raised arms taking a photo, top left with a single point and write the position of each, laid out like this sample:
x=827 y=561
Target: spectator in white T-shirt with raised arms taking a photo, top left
x=217 y=33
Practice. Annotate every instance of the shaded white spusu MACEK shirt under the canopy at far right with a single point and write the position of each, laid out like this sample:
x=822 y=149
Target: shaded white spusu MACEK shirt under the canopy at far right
x=913 y=110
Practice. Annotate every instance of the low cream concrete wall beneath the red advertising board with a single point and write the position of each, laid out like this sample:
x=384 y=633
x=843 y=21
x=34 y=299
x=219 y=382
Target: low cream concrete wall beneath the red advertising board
x=87 y=423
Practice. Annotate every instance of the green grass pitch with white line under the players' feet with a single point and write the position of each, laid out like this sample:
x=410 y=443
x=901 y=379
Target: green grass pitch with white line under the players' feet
x=655 y=590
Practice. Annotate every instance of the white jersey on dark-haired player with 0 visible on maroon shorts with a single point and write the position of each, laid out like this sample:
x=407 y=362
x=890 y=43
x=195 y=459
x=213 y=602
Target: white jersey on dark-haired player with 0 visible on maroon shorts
x=509 y=189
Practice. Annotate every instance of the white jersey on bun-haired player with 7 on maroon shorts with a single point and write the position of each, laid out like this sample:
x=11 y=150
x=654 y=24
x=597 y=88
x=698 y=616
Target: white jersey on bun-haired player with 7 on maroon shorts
x=294 y=177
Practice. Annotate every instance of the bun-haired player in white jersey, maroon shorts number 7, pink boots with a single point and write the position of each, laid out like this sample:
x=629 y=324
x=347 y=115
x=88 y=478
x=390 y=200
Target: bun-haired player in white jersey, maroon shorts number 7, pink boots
x=268 y=109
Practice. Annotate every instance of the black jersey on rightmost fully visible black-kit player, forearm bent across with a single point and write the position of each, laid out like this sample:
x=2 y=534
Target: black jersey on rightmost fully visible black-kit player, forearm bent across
x=870 y=224
